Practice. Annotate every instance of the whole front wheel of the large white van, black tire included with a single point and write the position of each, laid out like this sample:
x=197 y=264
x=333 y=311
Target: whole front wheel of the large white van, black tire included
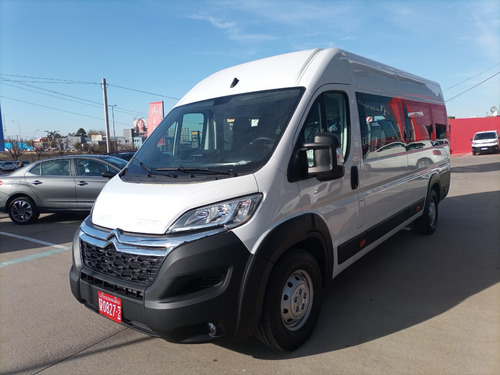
x=292 y=302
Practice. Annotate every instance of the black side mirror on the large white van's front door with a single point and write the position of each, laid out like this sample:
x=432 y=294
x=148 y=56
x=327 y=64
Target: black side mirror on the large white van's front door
x=325 y=157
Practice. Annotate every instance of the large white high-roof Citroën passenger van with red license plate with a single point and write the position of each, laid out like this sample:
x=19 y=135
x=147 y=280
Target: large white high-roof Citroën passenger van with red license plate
x=263 y=183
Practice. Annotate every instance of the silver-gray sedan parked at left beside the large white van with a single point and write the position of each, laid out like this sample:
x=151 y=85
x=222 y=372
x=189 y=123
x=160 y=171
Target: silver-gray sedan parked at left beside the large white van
x=66 y=184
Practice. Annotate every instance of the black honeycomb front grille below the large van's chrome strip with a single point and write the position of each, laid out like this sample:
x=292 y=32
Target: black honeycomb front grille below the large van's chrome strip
x=136 y=268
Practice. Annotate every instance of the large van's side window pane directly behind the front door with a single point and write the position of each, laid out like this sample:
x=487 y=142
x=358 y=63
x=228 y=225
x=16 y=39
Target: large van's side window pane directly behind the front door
x=380 y=129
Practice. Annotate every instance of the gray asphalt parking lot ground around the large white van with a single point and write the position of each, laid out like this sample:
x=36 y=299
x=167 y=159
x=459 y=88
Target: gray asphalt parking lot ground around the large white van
x=416 y=305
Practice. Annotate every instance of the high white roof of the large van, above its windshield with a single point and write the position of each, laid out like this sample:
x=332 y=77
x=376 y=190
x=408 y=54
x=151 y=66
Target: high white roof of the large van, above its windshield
x=311 y=69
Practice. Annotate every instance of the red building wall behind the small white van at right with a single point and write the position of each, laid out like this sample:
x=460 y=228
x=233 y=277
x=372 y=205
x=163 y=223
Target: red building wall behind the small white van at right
x=463 y=129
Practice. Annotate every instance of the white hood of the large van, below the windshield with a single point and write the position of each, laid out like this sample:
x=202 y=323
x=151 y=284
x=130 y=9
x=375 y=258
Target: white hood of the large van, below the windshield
x=153 y=208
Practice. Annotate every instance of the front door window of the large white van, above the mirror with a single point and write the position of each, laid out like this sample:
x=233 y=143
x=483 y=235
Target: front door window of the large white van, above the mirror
x=329 y=113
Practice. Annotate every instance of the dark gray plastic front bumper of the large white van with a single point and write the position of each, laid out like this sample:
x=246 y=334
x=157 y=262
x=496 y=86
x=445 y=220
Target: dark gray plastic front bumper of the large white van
x=197 y=285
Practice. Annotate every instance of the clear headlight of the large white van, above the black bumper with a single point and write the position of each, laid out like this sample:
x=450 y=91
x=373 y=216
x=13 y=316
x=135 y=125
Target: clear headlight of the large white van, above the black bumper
x=228 y=214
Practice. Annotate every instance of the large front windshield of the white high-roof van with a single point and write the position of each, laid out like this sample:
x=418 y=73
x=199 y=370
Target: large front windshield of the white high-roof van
x=216 y=138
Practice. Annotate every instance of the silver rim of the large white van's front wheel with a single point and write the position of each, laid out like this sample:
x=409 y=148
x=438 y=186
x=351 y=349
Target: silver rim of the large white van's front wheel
x=296 y=300
